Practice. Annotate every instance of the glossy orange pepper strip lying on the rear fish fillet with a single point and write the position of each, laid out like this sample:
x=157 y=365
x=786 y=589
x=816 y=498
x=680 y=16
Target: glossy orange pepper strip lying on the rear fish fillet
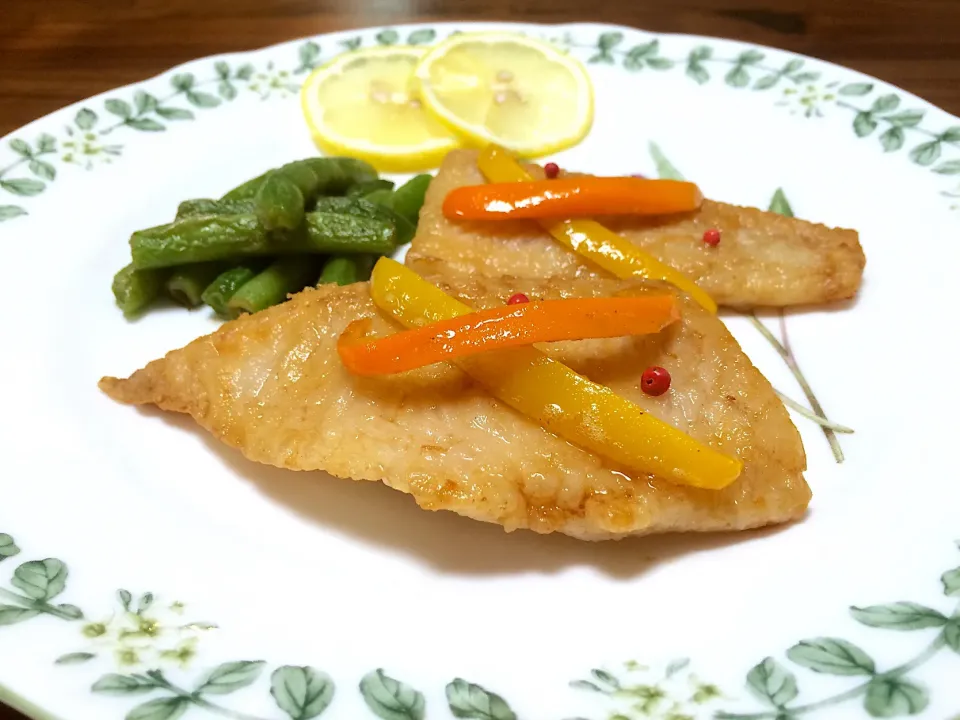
x=571 y=197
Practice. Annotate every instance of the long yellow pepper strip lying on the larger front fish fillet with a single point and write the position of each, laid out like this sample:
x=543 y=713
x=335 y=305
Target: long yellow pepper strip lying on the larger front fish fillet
x=567 y=404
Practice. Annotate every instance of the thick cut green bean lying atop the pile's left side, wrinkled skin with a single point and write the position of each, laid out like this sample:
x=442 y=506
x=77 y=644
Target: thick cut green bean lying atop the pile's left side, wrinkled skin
x=199 y=239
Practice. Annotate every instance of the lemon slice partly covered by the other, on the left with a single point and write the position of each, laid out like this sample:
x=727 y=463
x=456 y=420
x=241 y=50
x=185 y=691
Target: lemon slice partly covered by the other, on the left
x=363 y=104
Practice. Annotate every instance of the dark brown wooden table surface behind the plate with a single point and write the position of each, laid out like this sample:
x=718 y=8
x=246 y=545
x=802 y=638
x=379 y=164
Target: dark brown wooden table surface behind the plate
x=55 y=52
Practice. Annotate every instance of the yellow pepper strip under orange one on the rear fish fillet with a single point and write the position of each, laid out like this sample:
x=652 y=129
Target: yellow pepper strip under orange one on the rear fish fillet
x=590 y=239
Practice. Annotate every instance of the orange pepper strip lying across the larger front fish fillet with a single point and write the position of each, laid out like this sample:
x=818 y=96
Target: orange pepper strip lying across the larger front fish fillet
x=503 y=327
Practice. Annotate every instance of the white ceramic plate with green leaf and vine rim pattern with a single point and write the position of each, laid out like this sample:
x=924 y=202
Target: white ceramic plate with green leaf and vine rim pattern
x=345 y=601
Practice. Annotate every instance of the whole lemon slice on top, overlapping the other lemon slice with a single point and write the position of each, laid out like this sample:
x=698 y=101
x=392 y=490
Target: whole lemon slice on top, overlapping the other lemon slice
x=507 y=89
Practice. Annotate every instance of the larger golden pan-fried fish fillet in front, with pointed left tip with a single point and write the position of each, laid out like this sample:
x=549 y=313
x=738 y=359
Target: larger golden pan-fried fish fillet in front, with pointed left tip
x=272 y=385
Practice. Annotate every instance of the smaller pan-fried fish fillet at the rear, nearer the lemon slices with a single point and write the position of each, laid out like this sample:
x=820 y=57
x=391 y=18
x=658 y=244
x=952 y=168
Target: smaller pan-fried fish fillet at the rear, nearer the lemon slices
x=763 y=259
